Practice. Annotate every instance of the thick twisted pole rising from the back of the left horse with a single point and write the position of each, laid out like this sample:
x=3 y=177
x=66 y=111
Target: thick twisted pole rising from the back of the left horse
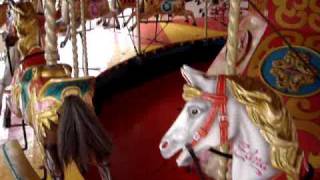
x=51 y=50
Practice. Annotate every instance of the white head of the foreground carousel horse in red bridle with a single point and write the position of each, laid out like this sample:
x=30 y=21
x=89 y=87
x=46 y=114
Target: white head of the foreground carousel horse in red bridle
x=192 y=117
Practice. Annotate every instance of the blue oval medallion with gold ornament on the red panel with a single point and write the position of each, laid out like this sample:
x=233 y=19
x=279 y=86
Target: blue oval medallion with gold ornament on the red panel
x=292 y=73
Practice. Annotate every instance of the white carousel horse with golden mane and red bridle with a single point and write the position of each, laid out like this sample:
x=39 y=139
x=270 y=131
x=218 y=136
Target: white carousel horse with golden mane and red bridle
x=243 y=113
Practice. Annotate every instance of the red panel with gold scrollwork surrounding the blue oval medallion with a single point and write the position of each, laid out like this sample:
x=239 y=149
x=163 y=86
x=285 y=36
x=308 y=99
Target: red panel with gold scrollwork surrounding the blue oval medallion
x=299 y=22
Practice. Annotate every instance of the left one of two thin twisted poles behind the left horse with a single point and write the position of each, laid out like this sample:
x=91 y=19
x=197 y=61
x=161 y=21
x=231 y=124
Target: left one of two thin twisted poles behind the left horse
x=73 y=38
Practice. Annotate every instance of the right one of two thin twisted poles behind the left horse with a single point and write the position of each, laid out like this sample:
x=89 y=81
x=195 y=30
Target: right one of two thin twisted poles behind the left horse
x=84 y=41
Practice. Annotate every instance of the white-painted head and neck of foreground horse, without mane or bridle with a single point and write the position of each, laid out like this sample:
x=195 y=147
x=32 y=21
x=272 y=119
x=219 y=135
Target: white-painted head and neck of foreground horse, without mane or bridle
x=251 y=152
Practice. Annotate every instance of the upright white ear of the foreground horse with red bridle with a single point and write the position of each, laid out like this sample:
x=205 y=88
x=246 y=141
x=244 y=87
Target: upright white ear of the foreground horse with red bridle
x=192 y=76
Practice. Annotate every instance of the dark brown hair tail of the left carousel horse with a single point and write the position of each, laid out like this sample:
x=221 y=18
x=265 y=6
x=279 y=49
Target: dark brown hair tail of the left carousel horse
x=81 y=136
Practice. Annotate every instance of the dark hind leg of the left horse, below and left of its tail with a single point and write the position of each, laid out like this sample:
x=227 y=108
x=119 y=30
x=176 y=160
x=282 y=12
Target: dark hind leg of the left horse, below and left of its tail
x=52 y=162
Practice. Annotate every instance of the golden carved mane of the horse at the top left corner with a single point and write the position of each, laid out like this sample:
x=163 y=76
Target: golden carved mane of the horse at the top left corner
x=27 y=27
